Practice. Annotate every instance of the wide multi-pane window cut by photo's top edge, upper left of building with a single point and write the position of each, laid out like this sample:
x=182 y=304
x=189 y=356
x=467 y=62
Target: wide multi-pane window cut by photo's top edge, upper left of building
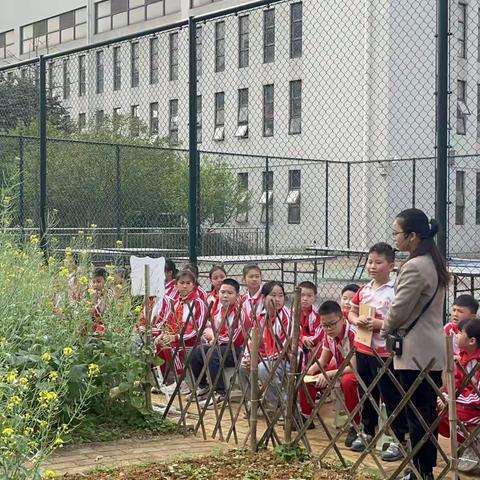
x=111 y=14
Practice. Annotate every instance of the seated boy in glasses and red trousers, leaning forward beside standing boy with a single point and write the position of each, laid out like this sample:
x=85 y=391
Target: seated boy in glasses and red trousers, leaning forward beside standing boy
x=337 y=342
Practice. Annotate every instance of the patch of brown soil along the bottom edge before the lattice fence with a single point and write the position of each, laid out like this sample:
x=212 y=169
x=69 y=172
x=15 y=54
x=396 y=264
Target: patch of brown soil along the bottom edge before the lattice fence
x=236 y=464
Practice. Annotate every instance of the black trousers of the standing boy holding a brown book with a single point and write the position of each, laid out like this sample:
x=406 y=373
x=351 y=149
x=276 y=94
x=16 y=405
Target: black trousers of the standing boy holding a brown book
x=368 y=367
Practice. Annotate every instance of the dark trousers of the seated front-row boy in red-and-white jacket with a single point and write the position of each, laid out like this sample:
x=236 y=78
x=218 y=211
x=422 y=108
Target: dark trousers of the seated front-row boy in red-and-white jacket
x=219 y=351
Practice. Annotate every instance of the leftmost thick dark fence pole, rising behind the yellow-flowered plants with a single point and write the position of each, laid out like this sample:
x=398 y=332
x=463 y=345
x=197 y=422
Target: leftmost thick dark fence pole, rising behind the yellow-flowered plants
x=42 y=125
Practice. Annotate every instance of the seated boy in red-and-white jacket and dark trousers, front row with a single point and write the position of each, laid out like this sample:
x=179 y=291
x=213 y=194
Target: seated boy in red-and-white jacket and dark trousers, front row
x=225 y=334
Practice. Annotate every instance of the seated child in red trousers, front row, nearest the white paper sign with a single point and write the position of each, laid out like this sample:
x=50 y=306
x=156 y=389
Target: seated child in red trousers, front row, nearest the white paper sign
x=186 y=315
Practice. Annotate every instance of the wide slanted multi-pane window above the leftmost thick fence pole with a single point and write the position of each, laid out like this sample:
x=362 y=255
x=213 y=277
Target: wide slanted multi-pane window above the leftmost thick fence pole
x=52 y=31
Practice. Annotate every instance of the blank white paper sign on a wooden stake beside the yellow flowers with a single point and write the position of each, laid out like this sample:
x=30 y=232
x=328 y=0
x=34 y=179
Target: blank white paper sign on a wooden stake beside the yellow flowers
x=157 y=276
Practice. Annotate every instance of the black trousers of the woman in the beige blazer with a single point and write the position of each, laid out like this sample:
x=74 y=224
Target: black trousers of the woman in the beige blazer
x=425 y=400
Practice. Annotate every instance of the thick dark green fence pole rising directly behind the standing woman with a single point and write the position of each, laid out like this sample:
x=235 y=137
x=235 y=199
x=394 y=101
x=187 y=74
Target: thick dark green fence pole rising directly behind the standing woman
x=442 y=124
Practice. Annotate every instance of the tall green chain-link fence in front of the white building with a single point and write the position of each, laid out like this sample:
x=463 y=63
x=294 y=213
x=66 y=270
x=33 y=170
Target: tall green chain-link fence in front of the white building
x=315 y=124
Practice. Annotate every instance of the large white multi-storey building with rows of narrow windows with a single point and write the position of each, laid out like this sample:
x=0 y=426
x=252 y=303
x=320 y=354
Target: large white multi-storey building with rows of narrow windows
x=300 y=82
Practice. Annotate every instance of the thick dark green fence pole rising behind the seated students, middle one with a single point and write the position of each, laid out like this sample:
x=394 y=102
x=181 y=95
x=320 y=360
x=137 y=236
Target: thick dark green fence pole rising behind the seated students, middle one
x=192 y=141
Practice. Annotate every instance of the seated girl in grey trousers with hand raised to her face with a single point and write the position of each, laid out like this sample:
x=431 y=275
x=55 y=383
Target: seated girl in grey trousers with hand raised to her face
x=274 y=323
